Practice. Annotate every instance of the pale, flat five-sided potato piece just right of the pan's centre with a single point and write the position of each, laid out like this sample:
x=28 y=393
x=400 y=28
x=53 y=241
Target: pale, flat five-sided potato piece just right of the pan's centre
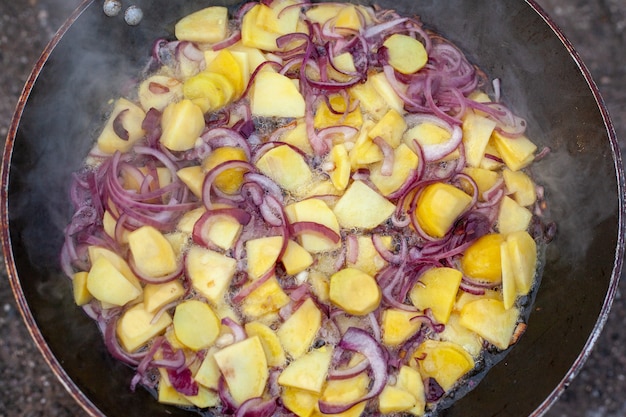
x=352 y=212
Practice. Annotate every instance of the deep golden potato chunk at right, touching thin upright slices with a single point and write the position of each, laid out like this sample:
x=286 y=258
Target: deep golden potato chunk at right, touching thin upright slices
x=481 y=259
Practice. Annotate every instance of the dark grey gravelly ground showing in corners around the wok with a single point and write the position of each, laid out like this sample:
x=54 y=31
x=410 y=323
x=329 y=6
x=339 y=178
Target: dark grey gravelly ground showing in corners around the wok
x=595 y=27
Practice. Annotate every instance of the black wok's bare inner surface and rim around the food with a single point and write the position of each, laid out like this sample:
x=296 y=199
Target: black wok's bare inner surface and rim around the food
x=94 y=58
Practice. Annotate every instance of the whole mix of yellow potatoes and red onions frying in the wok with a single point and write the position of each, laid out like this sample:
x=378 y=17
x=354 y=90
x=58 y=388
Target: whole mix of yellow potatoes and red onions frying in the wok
x=306 y=208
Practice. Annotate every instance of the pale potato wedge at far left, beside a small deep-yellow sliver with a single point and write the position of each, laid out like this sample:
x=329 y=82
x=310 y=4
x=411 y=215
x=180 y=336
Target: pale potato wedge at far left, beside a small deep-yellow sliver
x=107 y=284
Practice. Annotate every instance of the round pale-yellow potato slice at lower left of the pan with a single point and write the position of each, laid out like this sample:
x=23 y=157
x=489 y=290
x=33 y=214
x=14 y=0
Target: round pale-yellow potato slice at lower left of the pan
x=195 y=324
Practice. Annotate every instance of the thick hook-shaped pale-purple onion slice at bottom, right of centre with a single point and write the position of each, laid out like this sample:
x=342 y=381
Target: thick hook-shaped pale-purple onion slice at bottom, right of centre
x=358 y=340
